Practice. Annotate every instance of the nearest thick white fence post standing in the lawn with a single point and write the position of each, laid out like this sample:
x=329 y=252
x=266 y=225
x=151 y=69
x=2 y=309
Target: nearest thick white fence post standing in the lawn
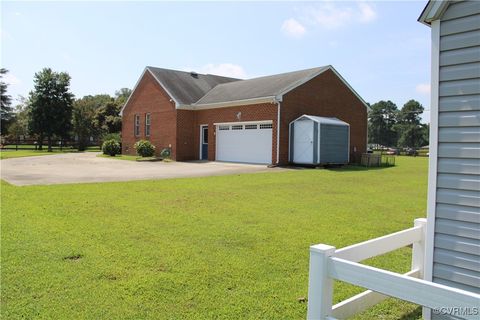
x=320 y=285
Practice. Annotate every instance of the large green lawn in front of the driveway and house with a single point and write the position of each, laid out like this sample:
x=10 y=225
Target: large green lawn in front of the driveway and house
x=225 y=247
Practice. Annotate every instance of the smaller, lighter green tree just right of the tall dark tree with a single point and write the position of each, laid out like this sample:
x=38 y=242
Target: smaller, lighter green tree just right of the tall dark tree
x=83 y=117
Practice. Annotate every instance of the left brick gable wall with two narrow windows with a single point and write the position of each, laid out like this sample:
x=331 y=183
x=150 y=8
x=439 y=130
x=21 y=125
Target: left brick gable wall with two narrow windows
x=149 y=97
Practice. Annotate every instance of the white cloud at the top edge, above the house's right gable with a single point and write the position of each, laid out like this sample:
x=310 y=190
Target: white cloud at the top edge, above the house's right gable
x=333 y=15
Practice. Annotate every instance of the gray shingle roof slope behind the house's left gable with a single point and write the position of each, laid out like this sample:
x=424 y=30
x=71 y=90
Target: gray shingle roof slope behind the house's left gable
x=184 y=87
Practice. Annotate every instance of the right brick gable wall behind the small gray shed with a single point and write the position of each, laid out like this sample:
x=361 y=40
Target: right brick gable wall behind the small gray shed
x=325 y=96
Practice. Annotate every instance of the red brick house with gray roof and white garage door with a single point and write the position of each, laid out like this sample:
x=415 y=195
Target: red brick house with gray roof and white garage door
x=217 y=118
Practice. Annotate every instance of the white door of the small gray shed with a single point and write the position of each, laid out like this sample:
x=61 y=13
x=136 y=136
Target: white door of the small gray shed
x=303 y=141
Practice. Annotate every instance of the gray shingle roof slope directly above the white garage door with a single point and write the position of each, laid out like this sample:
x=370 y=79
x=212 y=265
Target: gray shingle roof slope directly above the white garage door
x=258 y=87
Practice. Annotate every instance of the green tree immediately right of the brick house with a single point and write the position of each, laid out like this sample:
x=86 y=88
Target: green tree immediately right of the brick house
x=382 y=118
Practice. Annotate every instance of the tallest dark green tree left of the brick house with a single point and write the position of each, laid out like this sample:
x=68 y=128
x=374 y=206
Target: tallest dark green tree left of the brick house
x=51 y=106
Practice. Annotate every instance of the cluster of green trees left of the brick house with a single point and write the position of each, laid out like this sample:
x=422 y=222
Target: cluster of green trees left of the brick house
x=51 y=112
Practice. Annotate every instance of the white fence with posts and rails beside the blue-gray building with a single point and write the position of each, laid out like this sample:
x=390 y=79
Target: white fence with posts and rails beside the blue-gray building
x=327 y=264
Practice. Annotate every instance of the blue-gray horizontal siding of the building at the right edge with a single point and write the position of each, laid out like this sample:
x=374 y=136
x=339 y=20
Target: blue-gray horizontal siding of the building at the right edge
x=456 y=256
